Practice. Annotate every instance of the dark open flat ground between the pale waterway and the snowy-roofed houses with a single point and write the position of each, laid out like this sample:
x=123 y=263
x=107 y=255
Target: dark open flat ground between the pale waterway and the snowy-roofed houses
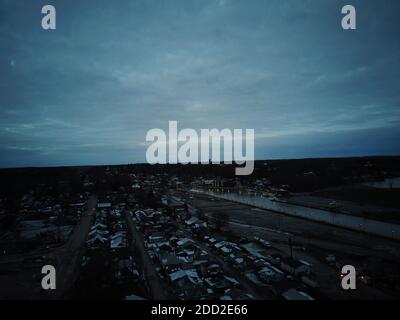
x=351 y=246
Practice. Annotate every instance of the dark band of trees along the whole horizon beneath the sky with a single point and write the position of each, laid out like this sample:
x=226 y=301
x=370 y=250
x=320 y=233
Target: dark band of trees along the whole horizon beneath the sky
x=298 y=175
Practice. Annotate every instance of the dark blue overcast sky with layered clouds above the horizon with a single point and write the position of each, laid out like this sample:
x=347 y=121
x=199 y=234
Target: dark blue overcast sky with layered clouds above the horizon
x=88 y=92
